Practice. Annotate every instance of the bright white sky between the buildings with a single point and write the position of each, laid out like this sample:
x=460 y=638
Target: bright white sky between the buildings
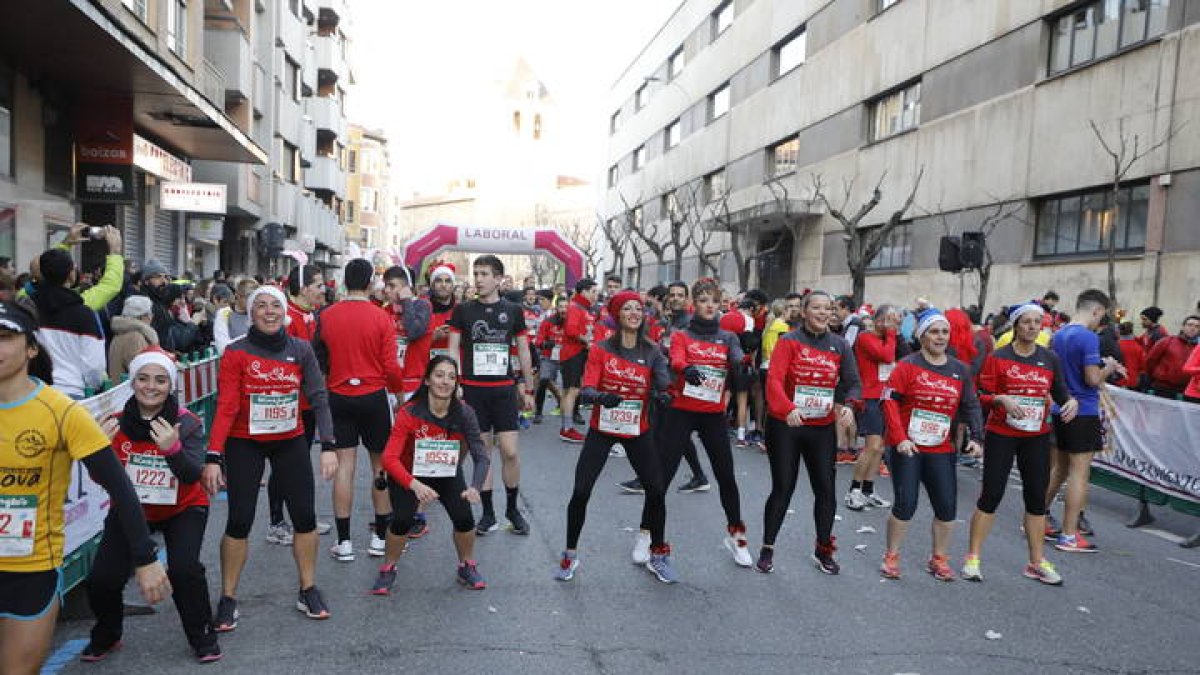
x=422 y=68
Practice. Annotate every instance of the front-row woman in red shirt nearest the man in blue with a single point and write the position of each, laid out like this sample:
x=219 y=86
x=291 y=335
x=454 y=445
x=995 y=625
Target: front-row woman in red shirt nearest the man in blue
x=1015 y=386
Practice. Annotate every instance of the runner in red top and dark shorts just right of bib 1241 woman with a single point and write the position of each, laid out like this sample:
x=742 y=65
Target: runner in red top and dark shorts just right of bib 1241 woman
x=875 y=353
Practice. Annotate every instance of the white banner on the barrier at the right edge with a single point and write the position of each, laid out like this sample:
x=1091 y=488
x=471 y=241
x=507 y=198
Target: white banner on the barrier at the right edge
x=1156 y=444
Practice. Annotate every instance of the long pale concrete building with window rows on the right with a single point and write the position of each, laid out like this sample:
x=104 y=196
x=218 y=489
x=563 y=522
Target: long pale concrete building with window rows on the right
x=992 y=103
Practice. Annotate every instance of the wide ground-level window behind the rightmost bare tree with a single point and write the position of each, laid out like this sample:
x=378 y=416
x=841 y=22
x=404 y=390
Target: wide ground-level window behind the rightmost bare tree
x=1083 y=224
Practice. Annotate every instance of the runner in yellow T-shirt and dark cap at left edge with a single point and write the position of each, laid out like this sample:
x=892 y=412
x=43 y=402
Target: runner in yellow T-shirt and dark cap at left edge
x=49 y=431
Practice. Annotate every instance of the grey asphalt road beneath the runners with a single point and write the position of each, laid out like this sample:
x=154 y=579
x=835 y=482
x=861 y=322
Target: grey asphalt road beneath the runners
x=1132 y=608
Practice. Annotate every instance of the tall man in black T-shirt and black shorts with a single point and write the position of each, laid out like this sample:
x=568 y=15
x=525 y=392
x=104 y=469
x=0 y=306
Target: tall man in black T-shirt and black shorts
x=481 y=336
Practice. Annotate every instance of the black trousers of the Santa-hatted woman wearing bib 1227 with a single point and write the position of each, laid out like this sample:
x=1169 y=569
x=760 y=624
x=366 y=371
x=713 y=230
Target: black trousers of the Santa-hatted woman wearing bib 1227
x=184 y=534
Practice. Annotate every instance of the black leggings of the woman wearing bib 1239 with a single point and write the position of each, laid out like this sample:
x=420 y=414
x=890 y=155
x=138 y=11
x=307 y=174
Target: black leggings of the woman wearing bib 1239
x=646 y=465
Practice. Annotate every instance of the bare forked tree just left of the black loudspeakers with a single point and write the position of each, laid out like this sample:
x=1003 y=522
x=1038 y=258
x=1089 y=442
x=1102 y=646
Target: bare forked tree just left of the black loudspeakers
x=863 y=244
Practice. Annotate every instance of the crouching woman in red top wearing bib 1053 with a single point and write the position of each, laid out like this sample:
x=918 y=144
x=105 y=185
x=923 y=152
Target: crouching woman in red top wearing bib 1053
x=424 y=461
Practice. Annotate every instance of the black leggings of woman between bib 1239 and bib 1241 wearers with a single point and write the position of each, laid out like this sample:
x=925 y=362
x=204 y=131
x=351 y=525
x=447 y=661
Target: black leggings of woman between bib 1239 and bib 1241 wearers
x=715 y=433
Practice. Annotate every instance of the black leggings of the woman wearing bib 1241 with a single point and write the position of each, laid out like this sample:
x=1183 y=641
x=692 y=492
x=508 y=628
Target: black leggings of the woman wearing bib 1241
x=787 y=446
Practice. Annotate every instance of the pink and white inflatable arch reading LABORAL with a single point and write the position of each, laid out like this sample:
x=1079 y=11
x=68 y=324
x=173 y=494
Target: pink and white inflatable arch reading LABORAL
x=495 y=241
